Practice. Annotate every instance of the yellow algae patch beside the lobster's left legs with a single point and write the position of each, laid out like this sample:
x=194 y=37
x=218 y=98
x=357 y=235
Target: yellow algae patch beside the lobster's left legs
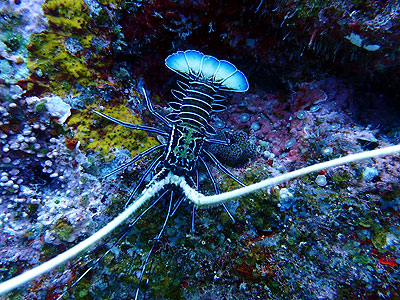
x=98 y=134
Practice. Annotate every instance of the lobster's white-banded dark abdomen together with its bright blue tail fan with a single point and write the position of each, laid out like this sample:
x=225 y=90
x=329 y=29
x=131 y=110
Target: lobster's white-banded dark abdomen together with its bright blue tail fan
x=200 y=97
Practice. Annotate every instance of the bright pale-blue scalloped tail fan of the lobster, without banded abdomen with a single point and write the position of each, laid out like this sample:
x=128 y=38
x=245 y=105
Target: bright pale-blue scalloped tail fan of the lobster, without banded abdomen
x=193 y=64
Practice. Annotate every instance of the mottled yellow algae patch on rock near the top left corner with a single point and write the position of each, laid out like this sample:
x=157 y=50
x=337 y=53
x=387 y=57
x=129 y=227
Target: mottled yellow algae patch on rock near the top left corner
x=73 y=50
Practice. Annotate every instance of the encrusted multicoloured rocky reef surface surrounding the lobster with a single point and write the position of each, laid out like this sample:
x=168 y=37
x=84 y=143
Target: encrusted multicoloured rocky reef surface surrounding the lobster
x=324 y=79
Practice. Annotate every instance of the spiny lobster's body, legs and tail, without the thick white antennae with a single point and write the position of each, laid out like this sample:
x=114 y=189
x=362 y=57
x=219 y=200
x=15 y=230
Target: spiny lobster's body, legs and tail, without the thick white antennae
x=187 y=128
